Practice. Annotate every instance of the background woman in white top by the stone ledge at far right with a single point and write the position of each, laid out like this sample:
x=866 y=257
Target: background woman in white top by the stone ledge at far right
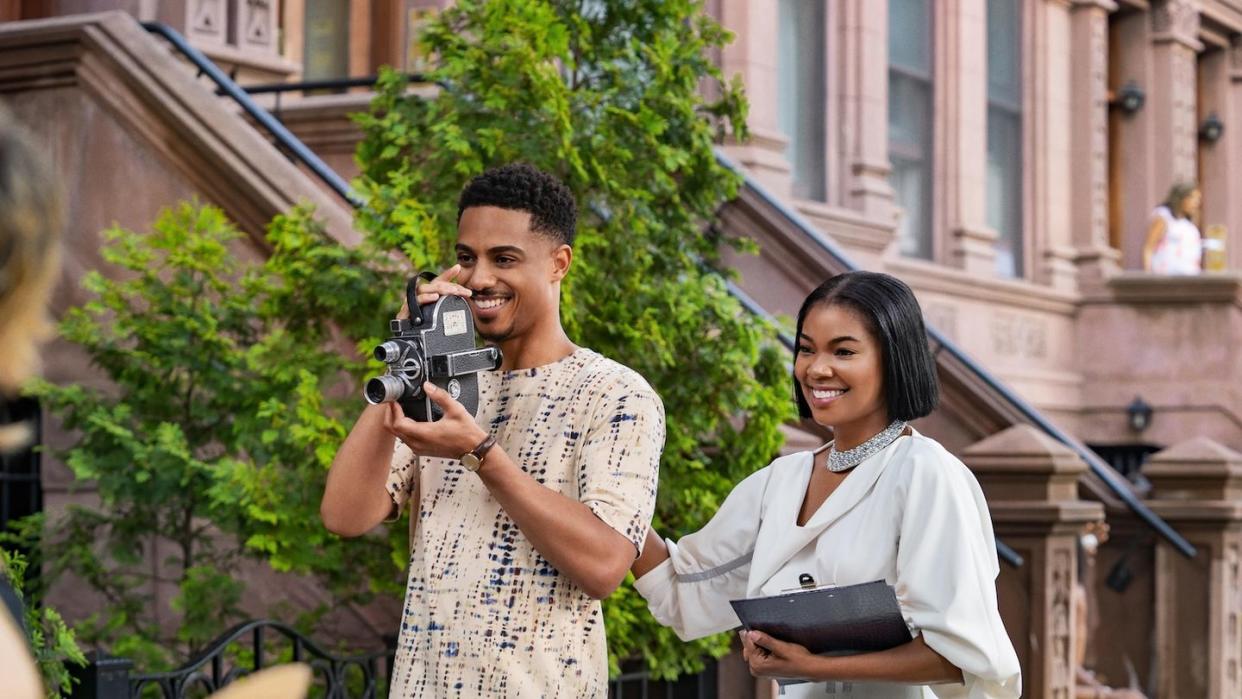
x=1174 y=245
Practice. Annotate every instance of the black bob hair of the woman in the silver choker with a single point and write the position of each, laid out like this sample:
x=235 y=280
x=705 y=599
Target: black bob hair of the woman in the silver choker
x=891 y=312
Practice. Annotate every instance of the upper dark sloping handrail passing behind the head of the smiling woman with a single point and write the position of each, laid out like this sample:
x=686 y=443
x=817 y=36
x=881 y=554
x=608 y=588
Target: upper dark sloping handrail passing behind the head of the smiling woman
x=1112 y=480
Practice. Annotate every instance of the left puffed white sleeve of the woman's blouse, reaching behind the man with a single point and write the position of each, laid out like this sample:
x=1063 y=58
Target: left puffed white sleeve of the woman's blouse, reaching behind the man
x=691 y=590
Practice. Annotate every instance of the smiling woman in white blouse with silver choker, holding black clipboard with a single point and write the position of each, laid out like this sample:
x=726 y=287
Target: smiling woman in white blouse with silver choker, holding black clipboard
x=881 y=502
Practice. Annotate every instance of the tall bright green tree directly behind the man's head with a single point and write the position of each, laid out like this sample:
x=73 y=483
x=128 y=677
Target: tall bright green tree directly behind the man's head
x=624 y=104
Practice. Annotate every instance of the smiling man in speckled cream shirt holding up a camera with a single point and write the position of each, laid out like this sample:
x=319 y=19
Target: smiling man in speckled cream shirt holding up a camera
x=530 y=513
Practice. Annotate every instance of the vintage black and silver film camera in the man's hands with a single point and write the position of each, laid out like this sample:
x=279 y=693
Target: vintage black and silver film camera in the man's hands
x=435 y=345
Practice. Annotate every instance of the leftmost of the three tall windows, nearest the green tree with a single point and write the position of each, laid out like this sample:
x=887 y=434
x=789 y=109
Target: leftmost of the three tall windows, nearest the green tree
x=800 y=94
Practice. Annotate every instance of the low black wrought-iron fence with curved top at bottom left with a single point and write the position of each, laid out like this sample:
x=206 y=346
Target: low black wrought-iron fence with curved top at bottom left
x=245 y=649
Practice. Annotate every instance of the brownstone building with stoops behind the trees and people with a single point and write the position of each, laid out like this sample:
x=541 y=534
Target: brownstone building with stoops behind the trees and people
x=1003 y=157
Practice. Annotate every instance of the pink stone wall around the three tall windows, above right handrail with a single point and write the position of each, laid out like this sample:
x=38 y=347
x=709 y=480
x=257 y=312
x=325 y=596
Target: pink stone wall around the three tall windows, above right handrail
x=1091 y=178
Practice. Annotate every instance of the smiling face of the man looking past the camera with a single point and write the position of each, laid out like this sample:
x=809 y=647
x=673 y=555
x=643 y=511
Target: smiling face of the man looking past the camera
x=512 y=270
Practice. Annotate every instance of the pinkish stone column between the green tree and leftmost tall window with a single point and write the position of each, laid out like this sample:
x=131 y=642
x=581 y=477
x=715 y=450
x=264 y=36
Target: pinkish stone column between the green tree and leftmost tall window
x=753 y=56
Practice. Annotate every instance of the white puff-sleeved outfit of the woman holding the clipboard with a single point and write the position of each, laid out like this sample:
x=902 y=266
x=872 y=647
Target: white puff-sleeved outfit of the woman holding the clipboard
x=911 y=515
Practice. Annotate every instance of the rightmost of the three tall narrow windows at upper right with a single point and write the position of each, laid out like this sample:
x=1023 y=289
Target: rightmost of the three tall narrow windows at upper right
x=1005 y=133
